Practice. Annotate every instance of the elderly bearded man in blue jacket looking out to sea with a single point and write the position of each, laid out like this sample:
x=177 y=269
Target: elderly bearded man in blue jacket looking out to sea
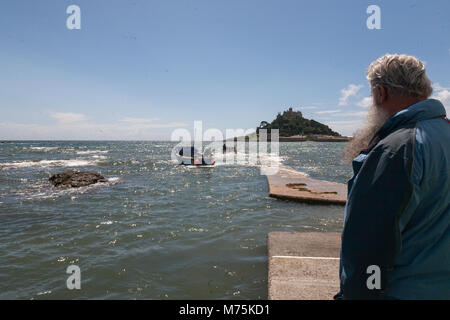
x=396 y=236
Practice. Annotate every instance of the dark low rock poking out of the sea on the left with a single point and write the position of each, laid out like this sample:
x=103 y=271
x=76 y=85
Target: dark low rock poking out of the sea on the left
x=76 y=179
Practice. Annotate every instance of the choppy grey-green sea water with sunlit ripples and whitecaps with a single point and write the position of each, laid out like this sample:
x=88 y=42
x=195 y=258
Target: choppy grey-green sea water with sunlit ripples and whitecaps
x=155 y=230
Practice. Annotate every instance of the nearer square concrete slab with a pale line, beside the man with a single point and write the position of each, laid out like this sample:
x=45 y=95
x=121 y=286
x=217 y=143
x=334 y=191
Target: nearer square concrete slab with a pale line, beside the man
x=303 y=266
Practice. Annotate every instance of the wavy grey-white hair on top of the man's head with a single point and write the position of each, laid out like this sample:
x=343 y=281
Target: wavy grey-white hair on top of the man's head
x=402 y=75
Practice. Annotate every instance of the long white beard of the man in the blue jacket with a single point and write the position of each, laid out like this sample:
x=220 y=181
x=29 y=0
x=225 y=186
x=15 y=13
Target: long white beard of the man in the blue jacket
x=376 y=117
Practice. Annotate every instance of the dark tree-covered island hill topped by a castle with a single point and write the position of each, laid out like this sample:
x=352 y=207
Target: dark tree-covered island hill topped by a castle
x=291 y=123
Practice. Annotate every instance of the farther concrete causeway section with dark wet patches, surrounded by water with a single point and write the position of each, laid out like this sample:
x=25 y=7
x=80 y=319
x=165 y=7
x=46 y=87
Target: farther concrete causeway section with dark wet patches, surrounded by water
x=289 y=184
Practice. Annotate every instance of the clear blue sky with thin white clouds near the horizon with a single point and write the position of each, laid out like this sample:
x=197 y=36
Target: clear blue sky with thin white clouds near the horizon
x=139 y=69
